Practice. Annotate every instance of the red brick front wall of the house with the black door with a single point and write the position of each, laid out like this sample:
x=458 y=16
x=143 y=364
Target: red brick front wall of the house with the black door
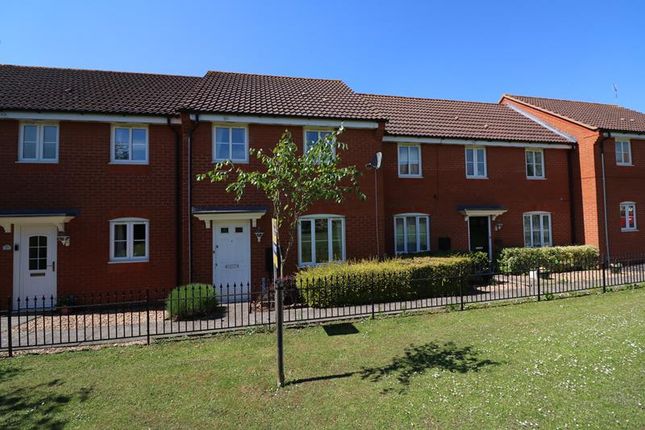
x=444 y=187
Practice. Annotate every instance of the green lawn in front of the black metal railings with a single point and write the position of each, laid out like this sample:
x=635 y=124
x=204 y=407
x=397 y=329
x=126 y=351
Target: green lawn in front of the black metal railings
x=556 y=364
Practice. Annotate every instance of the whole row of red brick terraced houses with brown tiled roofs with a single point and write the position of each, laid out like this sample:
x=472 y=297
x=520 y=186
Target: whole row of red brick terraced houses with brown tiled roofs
x=99 y=191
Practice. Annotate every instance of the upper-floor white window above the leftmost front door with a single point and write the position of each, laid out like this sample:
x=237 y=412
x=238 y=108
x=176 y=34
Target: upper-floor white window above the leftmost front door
x=38 y=142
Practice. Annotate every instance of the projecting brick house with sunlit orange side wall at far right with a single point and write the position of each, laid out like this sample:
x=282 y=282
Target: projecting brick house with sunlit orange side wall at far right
x=609 y=168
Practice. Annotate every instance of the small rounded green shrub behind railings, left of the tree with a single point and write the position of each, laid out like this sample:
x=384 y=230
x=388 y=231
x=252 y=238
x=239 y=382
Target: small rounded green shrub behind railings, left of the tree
x=192 y=300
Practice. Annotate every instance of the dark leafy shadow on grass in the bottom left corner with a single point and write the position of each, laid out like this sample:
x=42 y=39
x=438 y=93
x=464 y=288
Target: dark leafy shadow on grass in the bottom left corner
x=37 y=406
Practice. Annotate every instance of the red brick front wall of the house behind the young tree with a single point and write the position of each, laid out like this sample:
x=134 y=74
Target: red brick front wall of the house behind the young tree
x=360 y=217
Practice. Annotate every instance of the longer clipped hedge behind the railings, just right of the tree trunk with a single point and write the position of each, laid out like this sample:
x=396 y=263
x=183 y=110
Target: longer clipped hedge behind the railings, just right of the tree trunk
x=397 y=279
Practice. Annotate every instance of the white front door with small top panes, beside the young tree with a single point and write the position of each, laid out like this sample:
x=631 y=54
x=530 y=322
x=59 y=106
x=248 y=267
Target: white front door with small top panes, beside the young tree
x=232 y=260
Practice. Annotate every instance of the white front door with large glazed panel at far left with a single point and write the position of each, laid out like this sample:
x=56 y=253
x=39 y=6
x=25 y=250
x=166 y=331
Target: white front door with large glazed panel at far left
x=35 y=266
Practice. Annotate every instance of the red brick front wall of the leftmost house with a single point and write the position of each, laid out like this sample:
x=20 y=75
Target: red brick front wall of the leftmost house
x=84 y=180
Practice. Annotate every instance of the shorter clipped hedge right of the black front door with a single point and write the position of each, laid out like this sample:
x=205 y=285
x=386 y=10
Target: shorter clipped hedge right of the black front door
x=553 y=259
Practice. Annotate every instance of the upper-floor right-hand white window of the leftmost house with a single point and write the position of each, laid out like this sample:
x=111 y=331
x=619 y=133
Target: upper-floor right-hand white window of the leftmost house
x=129 y=144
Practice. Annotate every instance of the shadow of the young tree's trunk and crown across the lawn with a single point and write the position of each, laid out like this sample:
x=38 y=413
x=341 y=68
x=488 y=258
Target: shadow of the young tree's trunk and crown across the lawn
x=415 y=361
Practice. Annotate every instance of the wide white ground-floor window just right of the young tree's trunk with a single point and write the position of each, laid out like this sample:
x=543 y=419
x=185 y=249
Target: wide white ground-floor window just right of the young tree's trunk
x=321 y=238
